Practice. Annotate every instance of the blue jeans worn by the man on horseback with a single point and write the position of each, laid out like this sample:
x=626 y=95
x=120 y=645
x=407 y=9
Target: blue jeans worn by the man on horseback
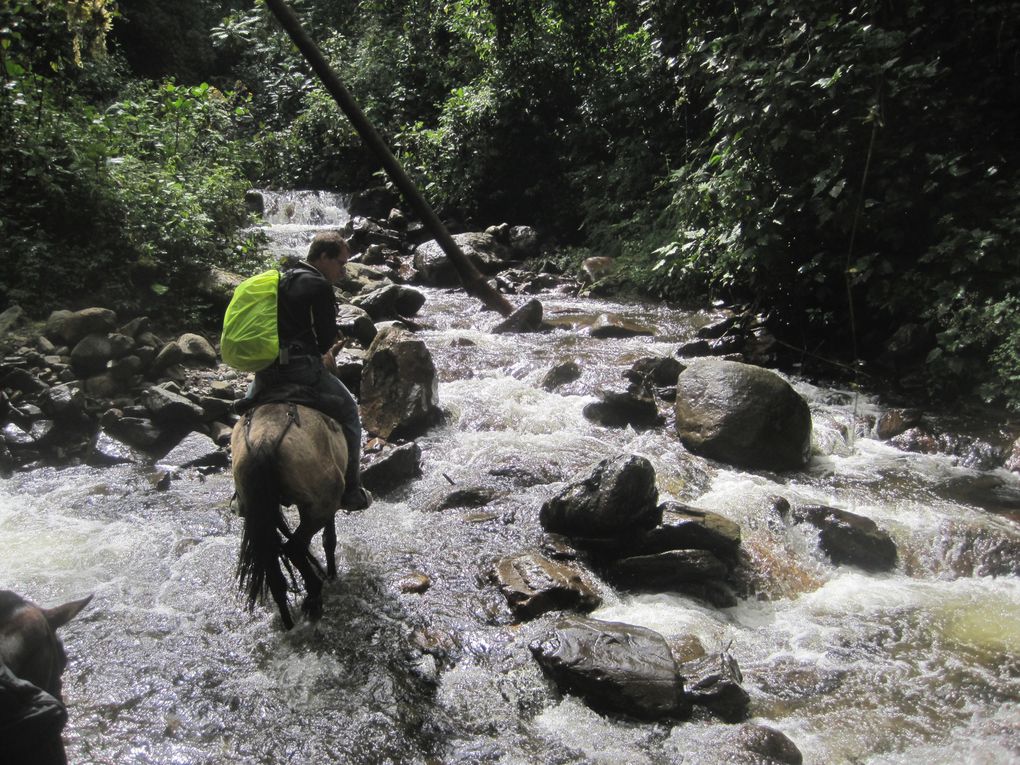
x=338 y=402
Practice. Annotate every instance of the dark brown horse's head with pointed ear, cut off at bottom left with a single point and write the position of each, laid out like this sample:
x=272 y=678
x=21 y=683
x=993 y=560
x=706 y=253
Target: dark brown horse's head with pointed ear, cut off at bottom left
x=32 y=660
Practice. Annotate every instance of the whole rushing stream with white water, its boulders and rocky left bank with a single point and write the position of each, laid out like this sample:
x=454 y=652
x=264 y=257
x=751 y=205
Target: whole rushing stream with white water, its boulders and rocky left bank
x=562 y=566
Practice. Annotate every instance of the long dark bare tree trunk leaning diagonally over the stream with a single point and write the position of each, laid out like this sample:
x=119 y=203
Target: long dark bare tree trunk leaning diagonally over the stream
x=471 y=278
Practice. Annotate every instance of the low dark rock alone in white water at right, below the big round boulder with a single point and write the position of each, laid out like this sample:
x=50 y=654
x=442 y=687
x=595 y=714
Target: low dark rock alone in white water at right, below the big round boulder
x=848 y=538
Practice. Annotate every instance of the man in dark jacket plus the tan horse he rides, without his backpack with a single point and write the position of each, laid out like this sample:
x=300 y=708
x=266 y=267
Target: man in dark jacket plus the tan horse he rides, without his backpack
x=300 y=442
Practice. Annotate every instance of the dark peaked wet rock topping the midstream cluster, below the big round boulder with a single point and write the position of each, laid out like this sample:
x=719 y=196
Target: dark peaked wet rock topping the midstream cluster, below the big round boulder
x=619 y=497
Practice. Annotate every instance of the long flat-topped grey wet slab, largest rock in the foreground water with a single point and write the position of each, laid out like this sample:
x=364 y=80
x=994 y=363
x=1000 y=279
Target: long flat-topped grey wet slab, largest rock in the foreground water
x=615 y=668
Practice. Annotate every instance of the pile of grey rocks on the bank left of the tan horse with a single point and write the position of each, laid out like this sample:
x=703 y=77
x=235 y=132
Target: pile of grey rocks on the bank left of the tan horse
x=86 y=387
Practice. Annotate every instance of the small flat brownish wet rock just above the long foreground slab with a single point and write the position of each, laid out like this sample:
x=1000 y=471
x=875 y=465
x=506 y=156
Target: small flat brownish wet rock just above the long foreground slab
x=534 y=585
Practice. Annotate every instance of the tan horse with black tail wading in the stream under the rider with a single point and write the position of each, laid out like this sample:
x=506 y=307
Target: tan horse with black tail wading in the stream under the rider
x=287 y=454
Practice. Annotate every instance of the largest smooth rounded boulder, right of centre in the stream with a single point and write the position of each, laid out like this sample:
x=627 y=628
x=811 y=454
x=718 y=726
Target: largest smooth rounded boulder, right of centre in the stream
x=742 y=415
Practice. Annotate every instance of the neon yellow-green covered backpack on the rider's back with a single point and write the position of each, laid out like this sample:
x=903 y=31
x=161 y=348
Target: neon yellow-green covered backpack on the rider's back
x=250 y=341
